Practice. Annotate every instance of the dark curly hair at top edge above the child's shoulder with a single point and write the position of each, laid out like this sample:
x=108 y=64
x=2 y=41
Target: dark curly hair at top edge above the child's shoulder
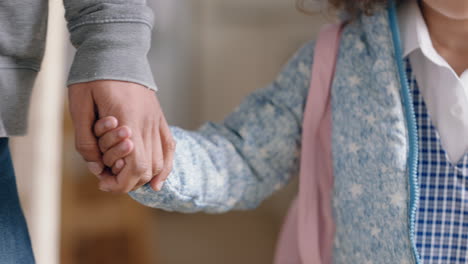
x=352 y=7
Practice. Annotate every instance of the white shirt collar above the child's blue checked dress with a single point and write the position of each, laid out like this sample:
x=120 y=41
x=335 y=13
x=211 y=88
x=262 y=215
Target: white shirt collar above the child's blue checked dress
x=445 y=93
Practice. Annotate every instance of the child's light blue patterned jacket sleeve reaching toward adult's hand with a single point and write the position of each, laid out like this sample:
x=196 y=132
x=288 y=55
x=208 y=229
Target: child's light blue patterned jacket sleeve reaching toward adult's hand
x=239 y=162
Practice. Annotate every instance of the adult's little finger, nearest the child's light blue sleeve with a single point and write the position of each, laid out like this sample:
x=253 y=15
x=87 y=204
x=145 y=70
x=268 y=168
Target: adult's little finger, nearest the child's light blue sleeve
x=168 y=146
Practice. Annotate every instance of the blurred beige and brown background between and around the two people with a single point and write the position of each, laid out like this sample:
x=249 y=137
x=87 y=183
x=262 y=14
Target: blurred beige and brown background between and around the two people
x=207 y=55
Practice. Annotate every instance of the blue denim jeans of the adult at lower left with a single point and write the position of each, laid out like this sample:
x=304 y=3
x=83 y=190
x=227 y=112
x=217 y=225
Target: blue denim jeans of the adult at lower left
x=15 y=245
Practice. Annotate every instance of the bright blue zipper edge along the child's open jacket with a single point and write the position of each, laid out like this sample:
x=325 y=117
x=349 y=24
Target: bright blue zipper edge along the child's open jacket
x=411 y=125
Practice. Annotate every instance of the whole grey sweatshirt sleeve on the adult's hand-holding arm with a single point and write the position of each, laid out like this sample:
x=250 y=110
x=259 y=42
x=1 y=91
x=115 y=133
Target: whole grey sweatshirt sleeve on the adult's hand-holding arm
x=112 y=39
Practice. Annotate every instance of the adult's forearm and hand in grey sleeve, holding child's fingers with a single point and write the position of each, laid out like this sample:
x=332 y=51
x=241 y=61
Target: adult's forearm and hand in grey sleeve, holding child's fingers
x=110 y=76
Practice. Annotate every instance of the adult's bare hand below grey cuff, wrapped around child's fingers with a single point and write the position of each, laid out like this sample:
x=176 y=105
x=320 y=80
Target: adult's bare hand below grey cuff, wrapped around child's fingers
x=133 y=106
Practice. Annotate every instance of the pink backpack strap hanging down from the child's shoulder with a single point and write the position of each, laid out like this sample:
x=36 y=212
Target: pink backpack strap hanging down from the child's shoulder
x=315 y=221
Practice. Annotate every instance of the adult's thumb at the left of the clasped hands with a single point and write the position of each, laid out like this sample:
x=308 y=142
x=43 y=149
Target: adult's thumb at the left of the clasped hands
x=83 y=115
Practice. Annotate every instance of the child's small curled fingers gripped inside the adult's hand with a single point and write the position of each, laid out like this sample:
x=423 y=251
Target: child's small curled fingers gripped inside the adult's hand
x=114 y=142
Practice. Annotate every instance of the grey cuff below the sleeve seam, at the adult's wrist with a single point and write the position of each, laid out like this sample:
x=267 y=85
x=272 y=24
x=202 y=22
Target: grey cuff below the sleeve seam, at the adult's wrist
x=112 y=51
